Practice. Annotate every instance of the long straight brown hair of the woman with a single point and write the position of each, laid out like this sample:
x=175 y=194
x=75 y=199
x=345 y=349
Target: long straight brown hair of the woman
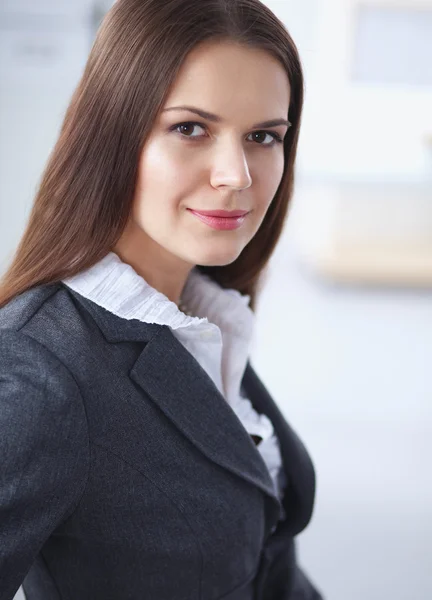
x=86 y=192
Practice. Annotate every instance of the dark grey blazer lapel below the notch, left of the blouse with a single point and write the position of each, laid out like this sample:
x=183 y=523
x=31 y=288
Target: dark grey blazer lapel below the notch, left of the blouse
x=174 y=380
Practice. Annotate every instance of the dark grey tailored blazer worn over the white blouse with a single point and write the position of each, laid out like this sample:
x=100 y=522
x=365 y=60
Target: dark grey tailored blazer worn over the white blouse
x=124 y=473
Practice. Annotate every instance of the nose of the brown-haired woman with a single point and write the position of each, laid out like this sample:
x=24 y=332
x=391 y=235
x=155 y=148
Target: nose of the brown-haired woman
x=230 y=168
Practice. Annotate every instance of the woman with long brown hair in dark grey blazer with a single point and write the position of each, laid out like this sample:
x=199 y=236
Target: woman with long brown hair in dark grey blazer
x=144 y=457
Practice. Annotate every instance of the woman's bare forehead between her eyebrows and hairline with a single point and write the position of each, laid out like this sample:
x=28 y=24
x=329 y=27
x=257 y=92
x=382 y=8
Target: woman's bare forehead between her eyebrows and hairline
x=232 y=80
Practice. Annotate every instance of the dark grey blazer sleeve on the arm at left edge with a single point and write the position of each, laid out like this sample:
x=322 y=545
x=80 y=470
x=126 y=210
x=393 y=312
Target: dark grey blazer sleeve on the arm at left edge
x=43 y=452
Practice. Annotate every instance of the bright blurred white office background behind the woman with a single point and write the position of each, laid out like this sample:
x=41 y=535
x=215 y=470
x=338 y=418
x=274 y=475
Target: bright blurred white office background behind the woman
x=344 y=328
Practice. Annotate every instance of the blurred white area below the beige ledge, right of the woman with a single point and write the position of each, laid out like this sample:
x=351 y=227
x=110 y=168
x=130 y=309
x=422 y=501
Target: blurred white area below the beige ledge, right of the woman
x=350 y=370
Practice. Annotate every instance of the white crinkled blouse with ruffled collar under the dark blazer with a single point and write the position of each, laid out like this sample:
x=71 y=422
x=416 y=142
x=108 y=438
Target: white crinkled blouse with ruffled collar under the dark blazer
x=218 y=336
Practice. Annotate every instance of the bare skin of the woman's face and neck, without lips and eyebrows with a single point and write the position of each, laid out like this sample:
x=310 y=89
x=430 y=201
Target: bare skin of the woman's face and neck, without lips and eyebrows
x=229 y=165
